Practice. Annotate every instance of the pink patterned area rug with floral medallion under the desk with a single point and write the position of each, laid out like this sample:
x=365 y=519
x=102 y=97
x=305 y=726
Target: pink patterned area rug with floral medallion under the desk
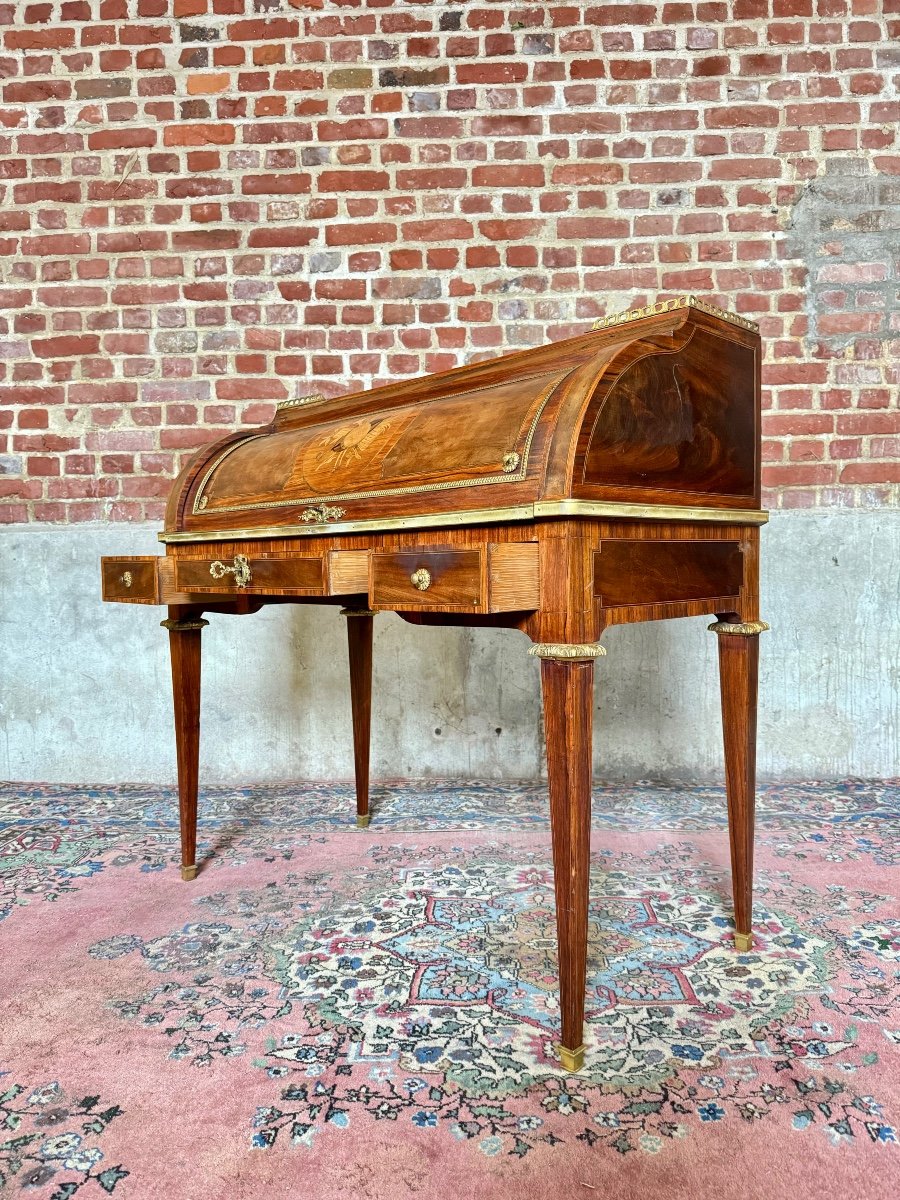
x=328 y=1011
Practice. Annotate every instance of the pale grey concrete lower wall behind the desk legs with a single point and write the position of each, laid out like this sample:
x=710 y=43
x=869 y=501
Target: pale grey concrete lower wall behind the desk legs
x=85 y=687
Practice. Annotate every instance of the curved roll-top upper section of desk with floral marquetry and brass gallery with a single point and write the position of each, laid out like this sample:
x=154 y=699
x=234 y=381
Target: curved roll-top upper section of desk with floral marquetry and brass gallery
x=656 y=411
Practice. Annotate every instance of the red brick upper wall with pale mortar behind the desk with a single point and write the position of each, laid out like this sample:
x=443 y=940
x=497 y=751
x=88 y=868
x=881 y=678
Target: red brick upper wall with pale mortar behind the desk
x=209 y=206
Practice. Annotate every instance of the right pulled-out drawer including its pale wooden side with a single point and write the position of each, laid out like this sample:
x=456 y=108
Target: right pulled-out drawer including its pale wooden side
x=501 y=578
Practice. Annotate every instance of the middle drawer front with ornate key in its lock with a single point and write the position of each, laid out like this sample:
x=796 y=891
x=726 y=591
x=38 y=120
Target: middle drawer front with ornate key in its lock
x=253 y=575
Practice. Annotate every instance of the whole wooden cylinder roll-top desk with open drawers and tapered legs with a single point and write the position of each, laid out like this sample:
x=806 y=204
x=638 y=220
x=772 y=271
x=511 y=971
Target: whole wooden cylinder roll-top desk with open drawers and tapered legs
x=613 y=478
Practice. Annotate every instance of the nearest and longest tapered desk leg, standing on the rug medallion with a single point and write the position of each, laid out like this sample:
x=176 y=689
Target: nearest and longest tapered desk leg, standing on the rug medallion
x=568 y=688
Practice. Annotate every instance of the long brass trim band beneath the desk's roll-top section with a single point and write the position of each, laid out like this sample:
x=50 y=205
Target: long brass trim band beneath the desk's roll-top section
x=598 y=509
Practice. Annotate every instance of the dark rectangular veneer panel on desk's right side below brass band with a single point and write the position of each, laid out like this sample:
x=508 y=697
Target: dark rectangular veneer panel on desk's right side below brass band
x=628 y=573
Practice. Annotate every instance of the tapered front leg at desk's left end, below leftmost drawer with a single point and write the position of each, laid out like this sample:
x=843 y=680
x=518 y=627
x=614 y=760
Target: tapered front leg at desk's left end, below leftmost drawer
x=185 y=653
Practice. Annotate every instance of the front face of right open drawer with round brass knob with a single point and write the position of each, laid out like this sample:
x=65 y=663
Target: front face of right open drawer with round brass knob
x=429 y=579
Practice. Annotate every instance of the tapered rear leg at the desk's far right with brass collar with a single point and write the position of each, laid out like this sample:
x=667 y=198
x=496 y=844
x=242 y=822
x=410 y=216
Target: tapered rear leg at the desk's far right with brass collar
x=739 y=676
